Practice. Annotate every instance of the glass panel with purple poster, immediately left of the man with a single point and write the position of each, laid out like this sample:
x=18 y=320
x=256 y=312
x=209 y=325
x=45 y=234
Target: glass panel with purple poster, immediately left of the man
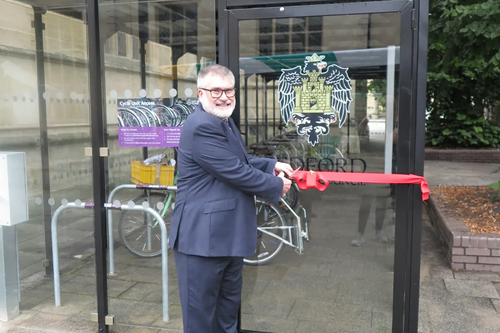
x=147 y=98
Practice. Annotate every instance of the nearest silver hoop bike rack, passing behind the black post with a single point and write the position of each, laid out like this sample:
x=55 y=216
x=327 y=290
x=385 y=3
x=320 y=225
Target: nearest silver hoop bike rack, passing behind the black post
x=87 y=205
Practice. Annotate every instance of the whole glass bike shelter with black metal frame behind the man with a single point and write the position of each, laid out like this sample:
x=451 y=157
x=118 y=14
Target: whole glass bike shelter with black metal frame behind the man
x=294 y=62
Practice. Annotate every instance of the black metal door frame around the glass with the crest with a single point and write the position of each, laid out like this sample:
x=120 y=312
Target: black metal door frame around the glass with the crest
x=410 y=148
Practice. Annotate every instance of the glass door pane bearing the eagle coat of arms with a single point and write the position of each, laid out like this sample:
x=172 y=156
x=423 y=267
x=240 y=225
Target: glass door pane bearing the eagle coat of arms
x=341 y=277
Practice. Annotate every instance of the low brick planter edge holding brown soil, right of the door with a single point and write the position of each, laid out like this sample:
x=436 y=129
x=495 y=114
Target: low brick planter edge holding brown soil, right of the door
x=464 y=250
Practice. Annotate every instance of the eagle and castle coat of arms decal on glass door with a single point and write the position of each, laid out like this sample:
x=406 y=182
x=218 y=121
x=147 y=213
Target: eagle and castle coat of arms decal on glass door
x=313 y=99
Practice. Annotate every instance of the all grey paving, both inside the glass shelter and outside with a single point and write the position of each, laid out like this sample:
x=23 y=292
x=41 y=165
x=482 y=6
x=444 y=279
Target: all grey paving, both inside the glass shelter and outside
x=333 y=287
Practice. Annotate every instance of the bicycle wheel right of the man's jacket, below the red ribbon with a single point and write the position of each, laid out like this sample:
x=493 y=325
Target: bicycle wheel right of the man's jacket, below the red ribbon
x=268 y=216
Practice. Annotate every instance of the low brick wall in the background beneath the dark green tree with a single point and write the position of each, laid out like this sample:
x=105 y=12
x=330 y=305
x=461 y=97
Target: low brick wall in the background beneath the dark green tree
x=464 y=155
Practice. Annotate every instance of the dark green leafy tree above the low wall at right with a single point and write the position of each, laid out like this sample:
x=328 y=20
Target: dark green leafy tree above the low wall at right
x=463 y=73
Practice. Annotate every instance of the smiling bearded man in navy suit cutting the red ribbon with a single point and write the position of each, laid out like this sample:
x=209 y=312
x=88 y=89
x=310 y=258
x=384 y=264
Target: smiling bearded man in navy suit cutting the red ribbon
x=214 y=223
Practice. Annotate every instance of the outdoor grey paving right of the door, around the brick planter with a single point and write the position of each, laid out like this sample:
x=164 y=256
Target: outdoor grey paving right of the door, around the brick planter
x=467 y=302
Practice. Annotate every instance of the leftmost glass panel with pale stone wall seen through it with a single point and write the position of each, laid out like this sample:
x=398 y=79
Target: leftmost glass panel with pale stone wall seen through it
x=45 y=115
